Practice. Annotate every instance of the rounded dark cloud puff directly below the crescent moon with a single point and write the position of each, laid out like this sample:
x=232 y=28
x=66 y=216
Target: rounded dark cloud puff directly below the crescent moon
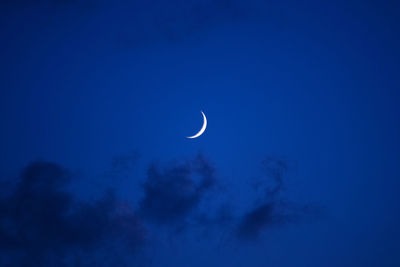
x=171 y=193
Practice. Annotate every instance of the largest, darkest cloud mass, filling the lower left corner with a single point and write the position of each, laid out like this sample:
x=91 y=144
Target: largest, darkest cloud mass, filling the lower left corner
x=41 y=224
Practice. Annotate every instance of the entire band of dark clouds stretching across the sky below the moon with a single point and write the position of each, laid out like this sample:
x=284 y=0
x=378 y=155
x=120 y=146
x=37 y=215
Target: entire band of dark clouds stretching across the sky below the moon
x=43 y=224
